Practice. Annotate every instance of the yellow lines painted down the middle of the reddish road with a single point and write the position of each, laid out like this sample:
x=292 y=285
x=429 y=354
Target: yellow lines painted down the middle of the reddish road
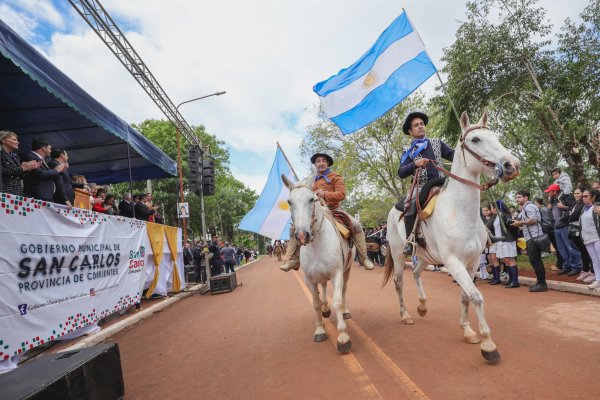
x=397 y=373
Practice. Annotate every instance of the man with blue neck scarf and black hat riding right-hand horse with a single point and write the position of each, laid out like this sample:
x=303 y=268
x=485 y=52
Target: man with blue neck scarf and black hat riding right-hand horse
x=418 y=155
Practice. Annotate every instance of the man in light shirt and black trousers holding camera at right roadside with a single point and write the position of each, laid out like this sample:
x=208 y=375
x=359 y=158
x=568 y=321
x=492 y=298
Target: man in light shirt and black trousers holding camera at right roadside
x=529 y=221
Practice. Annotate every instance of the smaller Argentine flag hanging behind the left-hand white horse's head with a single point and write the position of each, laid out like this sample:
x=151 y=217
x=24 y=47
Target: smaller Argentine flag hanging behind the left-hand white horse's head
x=271 y=216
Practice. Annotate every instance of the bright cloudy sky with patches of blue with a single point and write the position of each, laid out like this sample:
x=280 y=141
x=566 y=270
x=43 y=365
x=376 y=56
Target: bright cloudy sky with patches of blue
x=266 y=55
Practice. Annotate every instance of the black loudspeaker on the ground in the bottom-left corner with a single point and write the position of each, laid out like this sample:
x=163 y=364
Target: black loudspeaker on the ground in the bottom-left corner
x=93 y=373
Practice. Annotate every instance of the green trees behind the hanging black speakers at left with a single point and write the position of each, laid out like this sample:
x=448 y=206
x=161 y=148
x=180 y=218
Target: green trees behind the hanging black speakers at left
x=223 y=211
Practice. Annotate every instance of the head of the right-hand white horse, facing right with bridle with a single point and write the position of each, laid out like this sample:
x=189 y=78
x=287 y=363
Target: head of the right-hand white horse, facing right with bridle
x=482 y=151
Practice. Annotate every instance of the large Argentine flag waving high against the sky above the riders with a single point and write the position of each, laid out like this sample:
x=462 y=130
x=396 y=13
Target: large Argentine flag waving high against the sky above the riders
x=392 y=69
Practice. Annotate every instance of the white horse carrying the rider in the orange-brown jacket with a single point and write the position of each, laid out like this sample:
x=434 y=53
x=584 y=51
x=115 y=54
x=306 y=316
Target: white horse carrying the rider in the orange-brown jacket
x=324 y=256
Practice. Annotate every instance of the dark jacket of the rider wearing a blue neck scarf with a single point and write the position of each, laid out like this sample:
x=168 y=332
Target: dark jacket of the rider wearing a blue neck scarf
x=435 y=150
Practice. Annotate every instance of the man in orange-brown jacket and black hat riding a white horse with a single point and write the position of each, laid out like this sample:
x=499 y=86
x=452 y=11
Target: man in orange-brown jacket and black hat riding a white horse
x=330 y=187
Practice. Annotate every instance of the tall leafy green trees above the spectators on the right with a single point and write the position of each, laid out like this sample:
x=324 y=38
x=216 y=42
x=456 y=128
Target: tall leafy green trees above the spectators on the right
x=503 y=61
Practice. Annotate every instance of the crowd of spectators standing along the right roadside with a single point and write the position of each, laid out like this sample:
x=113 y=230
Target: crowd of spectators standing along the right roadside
x=567 y=223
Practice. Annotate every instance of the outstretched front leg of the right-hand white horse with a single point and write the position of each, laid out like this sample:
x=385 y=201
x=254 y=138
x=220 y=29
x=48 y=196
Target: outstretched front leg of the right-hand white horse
x=462 y=277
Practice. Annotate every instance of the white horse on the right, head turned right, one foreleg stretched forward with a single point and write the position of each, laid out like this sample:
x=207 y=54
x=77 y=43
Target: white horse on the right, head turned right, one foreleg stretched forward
x=455 y=235
